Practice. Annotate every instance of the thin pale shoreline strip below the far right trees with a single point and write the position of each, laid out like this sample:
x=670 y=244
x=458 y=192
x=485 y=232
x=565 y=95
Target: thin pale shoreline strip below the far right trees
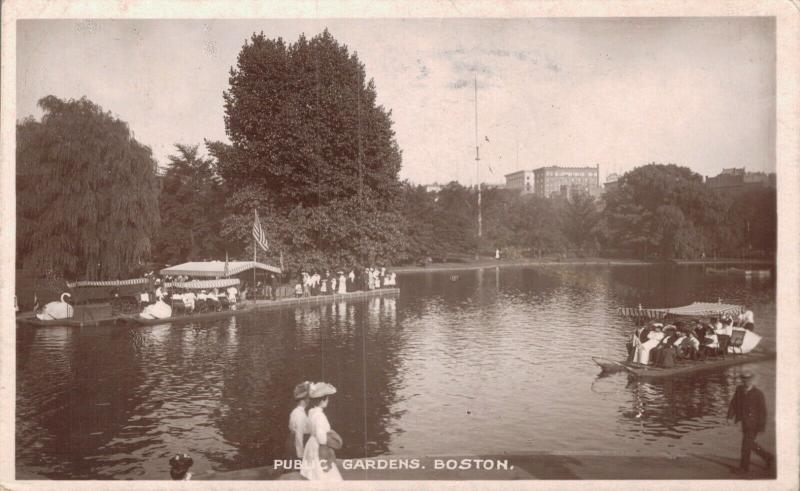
x=592 y=261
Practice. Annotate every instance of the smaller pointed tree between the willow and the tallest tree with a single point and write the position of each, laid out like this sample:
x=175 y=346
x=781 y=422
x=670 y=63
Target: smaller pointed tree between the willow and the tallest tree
x=192 y=209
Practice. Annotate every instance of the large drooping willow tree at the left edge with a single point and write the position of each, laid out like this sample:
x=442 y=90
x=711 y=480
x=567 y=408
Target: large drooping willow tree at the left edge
x=87 y=193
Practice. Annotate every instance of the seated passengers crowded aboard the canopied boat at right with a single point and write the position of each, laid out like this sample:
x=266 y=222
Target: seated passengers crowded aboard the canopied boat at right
x=663 y=345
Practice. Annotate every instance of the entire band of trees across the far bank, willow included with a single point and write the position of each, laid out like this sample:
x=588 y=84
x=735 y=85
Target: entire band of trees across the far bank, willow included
x=312 y=151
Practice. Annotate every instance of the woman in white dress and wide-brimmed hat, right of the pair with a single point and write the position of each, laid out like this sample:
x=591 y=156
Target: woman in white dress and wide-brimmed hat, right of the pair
x=313 y=468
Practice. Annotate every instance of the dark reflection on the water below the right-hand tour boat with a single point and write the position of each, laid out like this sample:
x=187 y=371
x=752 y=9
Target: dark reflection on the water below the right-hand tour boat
x=673 y=407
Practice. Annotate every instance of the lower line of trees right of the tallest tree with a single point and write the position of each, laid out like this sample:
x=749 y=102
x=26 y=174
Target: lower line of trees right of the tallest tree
x=656 y=211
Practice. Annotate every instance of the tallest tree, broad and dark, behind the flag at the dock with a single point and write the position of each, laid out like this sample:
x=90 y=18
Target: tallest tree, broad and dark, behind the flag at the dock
x=310 y=143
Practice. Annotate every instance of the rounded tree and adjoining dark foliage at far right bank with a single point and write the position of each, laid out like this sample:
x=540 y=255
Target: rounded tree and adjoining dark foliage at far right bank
x=667 y=211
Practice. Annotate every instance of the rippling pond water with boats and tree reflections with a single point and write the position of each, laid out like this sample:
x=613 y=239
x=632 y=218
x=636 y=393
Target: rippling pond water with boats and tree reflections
x=496 y=361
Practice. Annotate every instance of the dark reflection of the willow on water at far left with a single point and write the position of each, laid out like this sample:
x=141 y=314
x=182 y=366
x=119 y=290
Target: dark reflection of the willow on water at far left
x=77 y=401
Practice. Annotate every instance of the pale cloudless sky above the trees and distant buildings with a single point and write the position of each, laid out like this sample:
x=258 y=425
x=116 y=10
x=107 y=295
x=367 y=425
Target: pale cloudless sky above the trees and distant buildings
x=618 y=92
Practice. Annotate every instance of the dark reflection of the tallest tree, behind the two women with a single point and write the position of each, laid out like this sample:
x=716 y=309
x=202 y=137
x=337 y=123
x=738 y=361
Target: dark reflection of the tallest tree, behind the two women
x=322 y=342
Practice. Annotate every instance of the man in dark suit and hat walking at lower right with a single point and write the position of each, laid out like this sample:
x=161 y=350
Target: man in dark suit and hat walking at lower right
x=749 y=407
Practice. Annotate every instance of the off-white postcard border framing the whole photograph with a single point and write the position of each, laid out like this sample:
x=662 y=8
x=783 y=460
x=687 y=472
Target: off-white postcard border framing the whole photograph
x=788 y=157
